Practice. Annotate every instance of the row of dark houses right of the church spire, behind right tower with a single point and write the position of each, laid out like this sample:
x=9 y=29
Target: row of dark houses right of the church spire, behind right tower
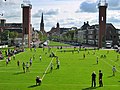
x=88 y=34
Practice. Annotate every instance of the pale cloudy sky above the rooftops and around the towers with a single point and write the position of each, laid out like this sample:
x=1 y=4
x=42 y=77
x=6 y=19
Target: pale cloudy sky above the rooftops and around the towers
x=69 y=13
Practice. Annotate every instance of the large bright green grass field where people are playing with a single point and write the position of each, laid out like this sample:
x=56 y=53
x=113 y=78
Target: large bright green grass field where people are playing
x=74 y=73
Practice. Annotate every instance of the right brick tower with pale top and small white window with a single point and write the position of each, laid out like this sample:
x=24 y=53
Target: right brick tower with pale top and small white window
x=102 y=22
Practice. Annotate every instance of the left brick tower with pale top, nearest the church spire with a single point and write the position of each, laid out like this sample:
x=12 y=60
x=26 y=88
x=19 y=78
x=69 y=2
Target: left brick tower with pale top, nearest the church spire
x=26 y=21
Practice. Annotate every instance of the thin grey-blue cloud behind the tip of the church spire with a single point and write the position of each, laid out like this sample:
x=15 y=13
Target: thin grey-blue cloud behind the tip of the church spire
x=46 y=12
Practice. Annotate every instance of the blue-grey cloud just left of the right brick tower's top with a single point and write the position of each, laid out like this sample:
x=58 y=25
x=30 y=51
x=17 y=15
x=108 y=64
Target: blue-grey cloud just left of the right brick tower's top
x=89 y=7
